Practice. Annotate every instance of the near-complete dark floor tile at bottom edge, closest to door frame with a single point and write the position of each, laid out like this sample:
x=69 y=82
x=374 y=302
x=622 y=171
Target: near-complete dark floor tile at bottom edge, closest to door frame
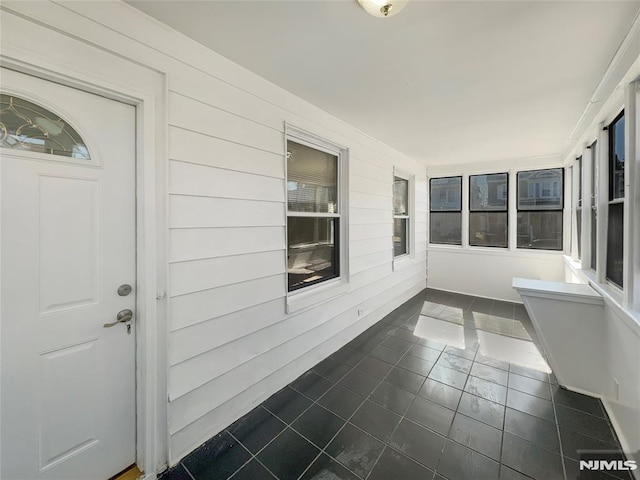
x=217 y=459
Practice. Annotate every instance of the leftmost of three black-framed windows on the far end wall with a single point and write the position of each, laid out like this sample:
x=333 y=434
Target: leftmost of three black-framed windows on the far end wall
x=445 y=216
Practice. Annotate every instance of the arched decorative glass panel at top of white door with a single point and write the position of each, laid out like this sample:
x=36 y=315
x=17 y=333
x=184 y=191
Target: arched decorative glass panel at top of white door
x=27 y=126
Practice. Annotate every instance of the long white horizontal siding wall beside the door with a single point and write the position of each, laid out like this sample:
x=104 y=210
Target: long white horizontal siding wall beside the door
x=231 y=344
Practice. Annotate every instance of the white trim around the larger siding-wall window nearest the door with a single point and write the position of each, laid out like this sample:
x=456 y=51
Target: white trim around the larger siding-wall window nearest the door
x=312 y=295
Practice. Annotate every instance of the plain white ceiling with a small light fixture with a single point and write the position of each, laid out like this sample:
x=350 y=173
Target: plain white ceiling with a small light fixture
x=444 y=82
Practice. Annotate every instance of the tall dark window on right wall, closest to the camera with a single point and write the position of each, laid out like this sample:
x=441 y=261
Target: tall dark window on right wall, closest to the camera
x=615 y=223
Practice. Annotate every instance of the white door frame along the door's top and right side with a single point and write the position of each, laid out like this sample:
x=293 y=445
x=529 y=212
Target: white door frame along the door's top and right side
x=151 y=253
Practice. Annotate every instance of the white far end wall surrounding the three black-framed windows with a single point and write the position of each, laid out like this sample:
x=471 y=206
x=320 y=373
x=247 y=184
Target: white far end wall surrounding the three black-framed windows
x=484 y=271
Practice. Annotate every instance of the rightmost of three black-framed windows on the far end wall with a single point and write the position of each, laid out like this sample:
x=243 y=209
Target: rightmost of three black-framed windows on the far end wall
x=540 y=206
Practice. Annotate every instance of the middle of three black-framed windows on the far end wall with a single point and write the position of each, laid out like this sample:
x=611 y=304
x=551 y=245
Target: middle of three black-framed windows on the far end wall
x=488 y=204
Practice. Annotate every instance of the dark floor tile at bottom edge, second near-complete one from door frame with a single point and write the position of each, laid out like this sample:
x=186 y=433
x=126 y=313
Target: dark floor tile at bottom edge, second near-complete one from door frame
x=288 y=455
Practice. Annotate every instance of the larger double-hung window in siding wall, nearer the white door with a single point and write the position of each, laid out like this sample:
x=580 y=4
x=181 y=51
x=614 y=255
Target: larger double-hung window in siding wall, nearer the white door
x=313 y=218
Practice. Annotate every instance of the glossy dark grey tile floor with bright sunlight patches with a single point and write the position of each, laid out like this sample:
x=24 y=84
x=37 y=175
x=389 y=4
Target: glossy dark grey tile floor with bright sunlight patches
x=446 y=386
